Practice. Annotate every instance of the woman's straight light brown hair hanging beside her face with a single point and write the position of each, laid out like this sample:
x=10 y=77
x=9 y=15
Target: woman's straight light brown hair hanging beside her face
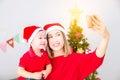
x=66 y=47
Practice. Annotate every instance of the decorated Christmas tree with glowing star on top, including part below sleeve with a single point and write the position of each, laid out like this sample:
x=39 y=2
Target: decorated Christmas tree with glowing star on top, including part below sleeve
x=77 y=39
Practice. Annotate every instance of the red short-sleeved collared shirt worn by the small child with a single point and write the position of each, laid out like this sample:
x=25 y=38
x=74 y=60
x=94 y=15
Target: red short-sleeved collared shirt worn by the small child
x=33 y=63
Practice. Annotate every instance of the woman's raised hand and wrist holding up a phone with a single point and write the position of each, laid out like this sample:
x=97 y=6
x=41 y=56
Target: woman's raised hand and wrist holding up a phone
x=97 y=25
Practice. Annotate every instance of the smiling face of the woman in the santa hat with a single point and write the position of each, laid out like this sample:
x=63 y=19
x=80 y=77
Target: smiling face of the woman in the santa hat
x=56 y=41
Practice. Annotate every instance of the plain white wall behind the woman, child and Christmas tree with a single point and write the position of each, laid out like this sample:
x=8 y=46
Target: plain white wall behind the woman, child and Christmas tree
x=16 y=14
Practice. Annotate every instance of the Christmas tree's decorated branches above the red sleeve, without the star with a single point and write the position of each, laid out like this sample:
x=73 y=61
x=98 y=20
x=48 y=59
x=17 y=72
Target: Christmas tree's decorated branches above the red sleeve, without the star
x=77 y=39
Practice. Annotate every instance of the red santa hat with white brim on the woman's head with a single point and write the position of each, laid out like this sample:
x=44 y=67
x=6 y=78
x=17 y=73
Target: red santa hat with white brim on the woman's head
x=52 y=26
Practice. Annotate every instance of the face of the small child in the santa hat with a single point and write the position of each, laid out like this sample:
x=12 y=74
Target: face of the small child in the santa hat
x=39 y=41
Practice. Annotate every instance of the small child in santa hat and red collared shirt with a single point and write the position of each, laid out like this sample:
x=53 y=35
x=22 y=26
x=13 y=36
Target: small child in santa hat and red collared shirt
x=34 y=64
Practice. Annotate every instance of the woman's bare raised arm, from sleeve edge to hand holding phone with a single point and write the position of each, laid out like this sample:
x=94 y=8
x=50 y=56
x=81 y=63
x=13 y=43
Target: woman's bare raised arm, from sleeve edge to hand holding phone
x=97 y=25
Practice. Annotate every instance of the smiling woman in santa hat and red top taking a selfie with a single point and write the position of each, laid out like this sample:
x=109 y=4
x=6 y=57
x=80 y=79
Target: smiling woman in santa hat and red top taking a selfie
x=69 y=66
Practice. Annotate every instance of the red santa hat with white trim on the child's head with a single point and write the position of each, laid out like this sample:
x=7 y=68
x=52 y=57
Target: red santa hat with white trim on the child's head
x=30 y=32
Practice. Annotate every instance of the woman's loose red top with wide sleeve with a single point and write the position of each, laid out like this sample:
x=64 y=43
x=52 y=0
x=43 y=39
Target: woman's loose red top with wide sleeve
x=74 y=67
